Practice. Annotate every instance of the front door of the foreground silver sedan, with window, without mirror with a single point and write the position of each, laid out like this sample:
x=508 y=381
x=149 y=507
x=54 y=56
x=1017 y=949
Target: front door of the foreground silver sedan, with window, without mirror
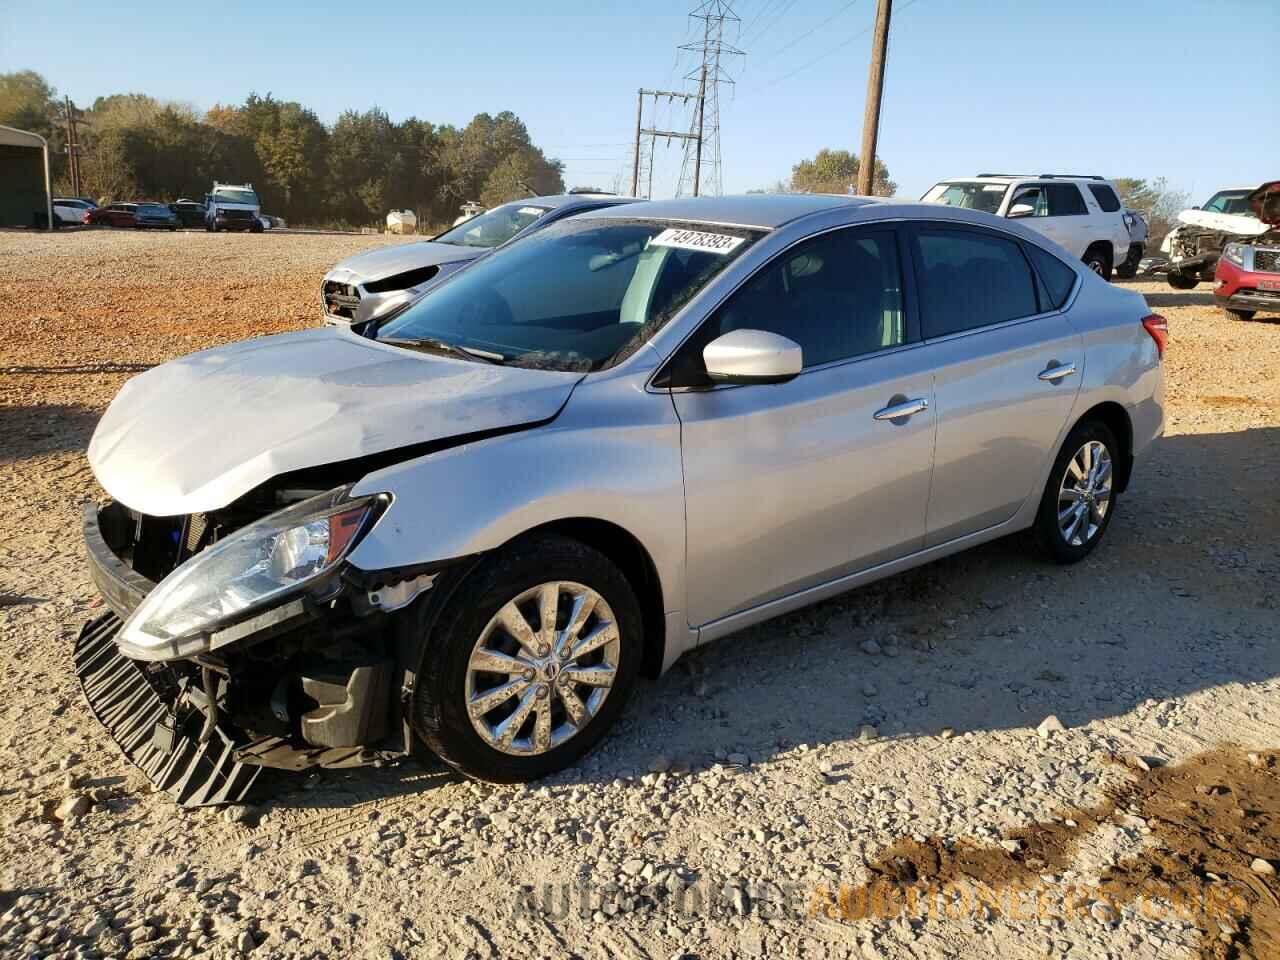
x=790 y=486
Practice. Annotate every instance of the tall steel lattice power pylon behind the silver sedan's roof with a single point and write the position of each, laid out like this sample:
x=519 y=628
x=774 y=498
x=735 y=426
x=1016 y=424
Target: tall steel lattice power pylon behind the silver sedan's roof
x=702 y=168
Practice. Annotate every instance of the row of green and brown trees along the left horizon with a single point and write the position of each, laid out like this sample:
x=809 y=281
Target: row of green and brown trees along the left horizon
x=353 y=172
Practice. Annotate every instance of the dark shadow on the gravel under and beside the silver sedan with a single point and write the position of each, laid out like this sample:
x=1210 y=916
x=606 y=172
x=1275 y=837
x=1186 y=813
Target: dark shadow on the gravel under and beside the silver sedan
x=1182 y=597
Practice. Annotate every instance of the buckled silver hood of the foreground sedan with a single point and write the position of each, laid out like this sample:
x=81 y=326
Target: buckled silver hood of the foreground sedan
x=198 y=433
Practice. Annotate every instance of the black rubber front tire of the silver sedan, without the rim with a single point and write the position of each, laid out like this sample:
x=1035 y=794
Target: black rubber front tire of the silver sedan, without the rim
x=440 y=715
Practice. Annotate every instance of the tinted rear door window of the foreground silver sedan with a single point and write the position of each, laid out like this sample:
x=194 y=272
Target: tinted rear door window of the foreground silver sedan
x=971 y=280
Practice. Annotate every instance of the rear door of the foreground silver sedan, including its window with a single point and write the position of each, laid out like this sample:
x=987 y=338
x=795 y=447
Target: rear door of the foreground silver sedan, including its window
x=1007 y=368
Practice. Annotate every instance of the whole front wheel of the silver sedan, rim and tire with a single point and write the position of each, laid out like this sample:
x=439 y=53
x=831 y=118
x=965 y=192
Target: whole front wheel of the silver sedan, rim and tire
x=529 y=664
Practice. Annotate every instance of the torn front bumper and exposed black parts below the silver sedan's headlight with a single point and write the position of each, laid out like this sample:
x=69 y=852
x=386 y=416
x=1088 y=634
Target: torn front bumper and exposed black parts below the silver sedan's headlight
x=200 y=728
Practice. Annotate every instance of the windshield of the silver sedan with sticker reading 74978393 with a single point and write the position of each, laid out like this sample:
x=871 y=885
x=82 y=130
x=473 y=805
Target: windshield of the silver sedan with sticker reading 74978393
x=579 y=295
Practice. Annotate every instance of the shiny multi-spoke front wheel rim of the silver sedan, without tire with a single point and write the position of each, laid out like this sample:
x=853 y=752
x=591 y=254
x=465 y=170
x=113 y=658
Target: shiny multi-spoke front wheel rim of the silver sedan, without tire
x=531 y=689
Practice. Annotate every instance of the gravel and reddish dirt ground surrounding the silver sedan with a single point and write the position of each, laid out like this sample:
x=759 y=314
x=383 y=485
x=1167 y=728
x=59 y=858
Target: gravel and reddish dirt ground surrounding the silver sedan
x=986 y=723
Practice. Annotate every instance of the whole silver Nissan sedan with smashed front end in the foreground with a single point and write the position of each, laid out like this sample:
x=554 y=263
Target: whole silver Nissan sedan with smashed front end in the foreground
x=476 y=524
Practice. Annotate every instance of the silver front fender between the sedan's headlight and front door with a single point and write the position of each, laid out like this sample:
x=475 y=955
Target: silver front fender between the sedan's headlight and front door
x=612 y=455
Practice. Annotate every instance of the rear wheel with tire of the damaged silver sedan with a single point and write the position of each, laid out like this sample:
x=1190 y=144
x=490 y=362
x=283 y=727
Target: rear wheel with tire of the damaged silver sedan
x=1080 y=497
